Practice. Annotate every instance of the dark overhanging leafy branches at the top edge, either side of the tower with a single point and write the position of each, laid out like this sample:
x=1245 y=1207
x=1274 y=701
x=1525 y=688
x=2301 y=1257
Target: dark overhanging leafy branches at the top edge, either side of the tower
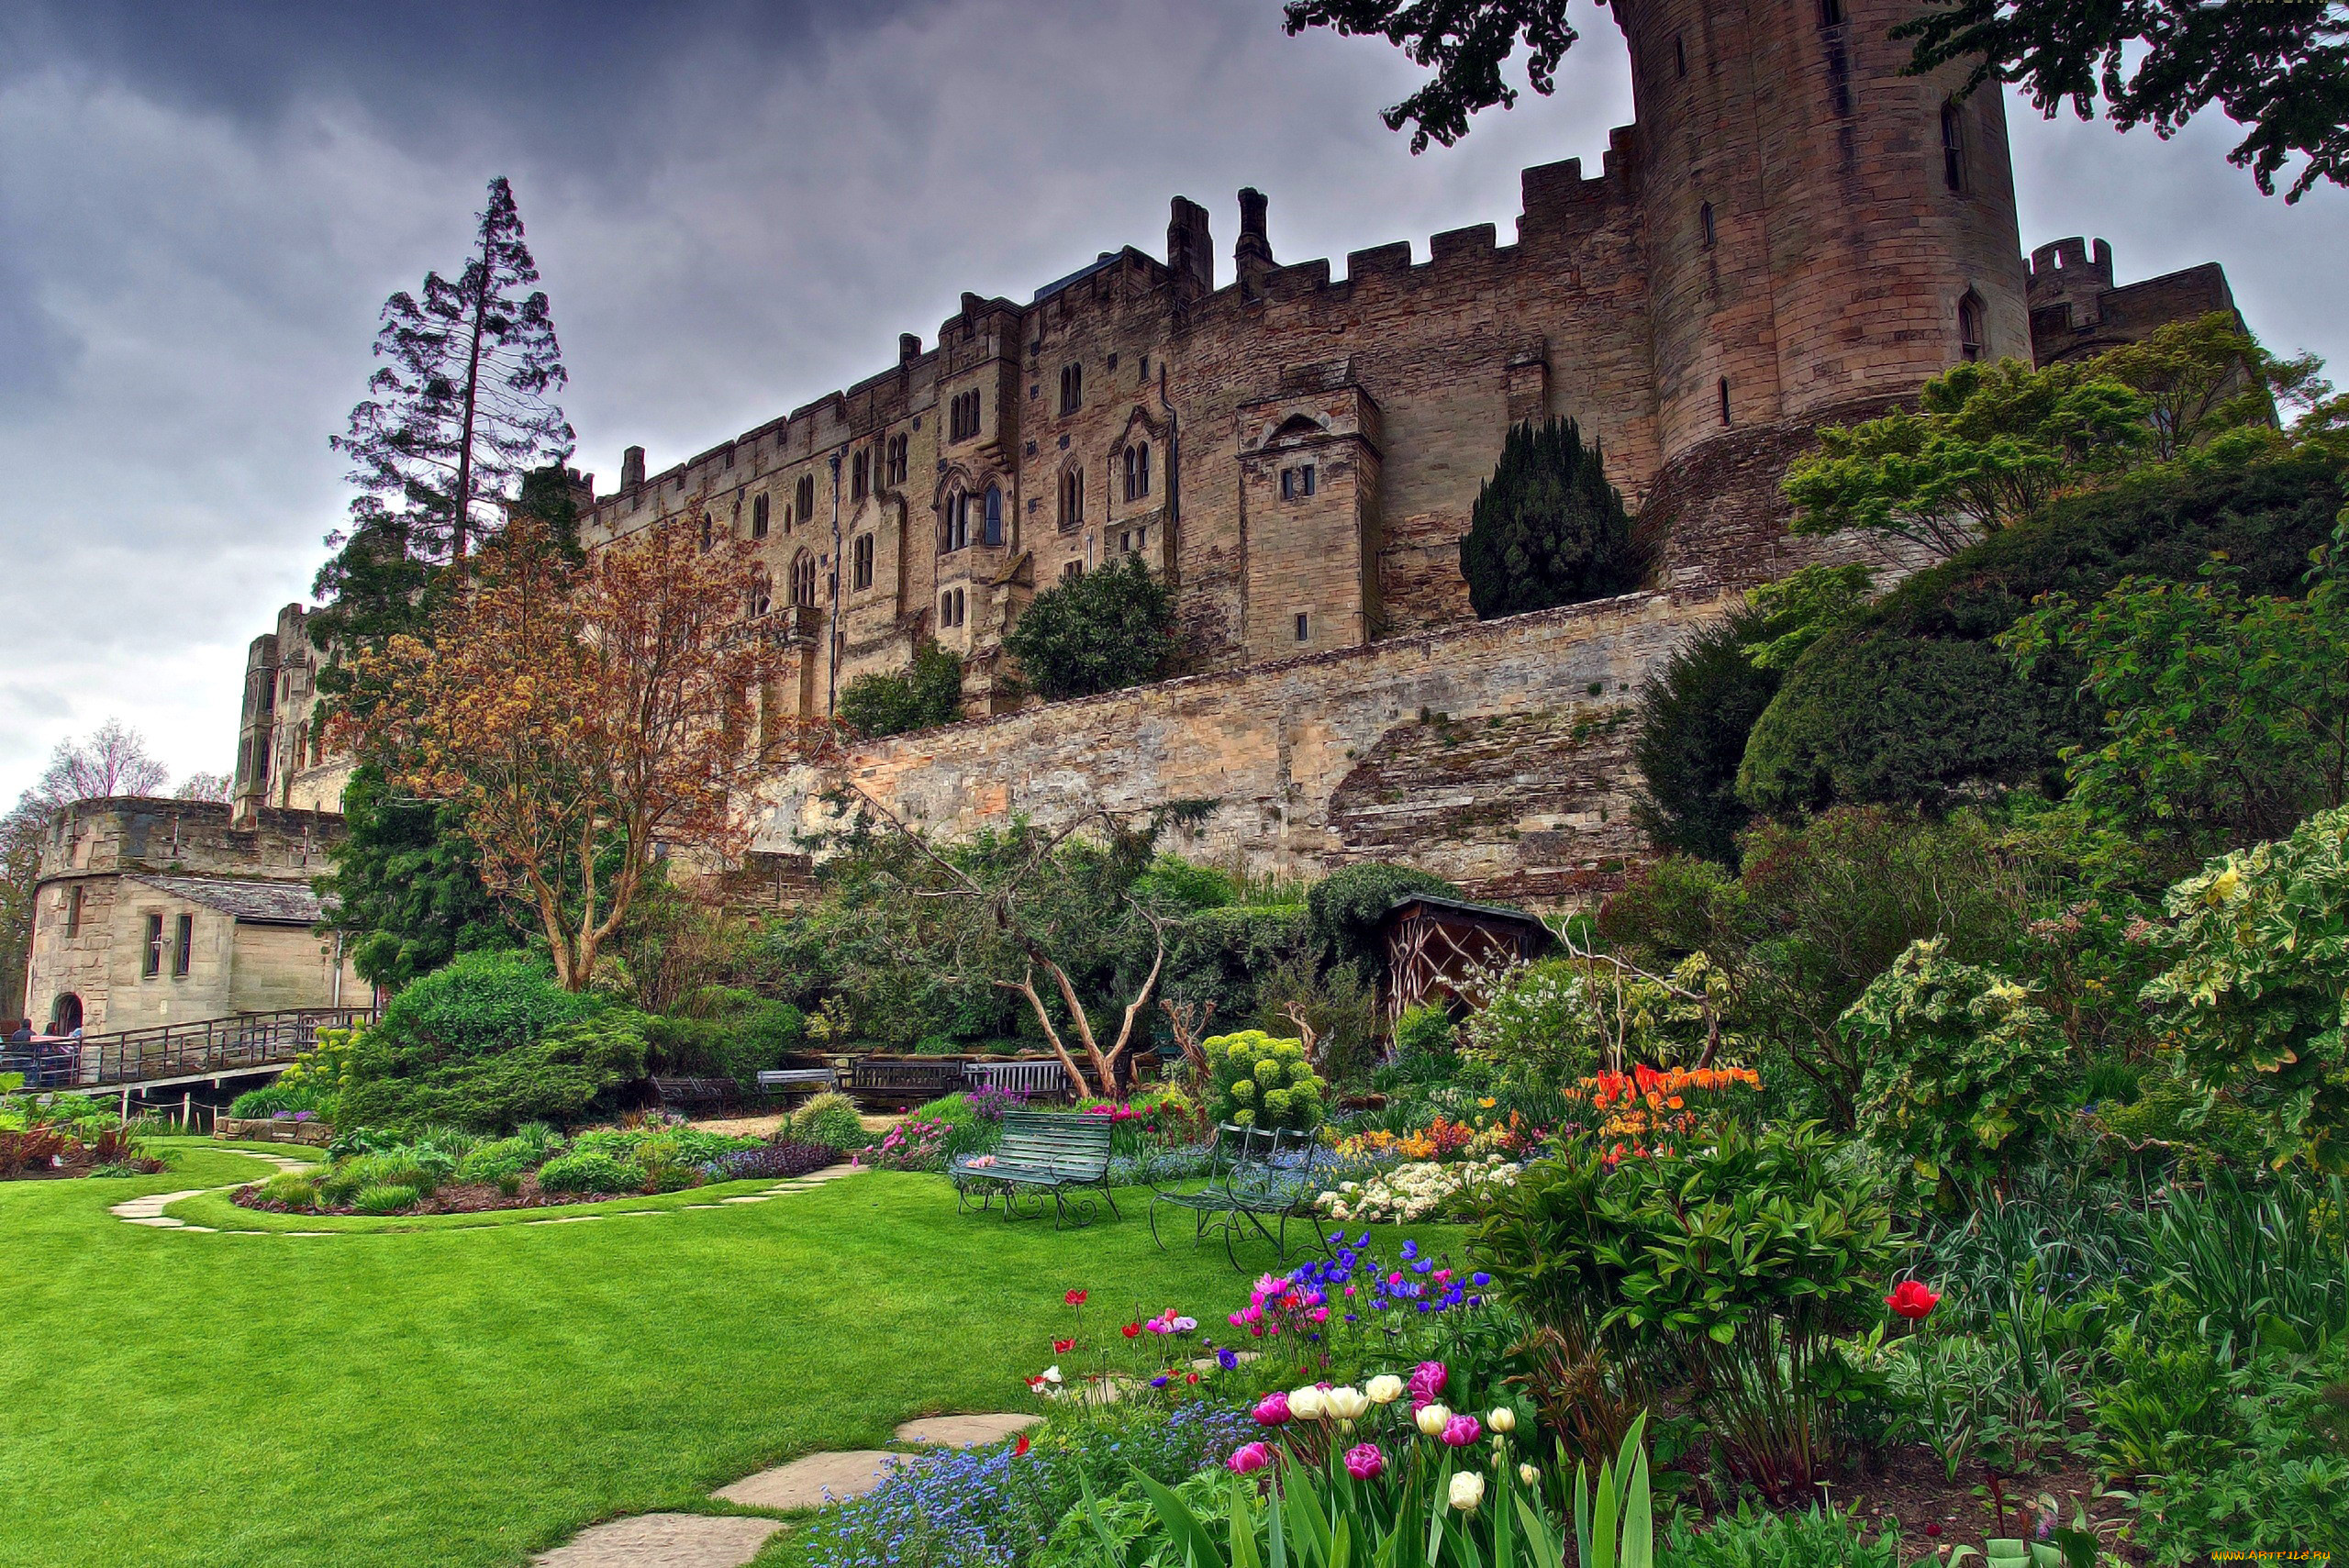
x=2280 y=69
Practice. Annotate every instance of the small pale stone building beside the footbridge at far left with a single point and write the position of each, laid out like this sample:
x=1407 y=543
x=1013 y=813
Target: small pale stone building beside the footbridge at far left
x=163 y=912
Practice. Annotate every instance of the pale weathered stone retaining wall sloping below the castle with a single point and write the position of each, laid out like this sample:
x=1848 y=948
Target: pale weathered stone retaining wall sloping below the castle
x=1495 y=755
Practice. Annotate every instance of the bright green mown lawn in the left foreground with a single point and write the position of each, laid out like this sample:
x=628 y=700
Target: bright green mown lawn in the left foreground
x=478 y=1393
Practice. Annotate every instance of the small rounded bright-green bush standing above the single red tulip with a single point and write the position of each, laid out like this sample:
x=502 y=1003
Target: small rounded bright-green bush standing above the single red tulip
x=1965 y=1069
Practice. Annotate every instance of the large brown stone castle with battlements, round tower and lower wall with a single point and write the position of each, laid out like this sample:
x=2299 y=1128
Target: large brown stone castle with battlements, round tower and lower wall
x=1791 y=234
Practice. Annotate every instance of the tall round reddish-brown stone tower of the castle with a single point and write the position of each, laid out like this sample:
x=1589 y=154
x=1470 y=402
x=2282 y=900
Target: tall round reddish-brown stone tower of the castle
x=1824 y=234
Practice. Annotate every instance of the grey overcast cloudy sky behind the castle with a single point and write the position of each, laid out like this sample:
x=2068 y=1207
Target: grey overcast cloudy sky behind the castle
x=736 y=208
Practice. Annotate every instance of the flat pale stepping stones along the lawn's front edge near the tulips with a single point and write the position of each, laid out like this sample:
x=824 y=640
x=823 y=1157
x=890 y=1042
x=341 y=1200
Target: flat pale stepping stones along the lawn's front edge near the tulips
x=706 y=1541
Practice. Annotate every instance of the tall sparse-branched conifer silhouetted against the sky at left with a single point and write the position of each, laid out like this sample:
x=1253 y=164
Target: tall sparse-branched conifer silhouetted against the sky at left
x=455 y=419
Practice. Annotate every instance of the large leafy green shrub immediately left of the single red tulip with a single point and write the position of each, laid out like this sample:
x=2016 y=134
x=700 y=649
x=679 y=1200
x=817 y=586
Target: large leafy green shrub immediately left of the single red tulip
x=1737 y=1262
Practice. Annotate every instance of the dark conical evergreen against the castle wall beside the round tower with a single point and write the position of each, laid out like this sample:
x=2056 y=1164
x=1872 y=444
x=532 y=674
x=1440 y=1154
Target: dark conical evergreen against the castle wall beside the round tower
x=1549 y=529
